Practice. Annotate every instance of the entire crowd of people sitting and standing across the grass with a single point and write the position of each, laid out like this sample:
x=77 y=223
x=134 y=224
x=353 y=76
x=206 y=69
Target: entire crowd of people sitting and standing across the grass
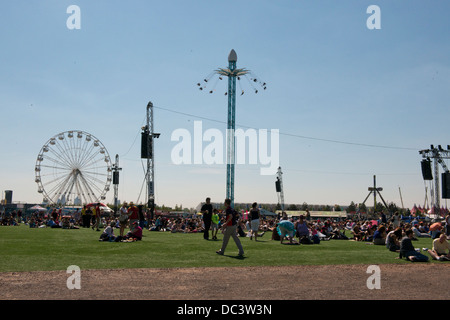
x=394 y=233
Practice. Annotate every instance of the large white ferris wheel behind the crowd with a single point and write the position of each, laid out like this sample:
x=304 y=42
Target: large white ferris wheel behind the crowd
x=73 y=167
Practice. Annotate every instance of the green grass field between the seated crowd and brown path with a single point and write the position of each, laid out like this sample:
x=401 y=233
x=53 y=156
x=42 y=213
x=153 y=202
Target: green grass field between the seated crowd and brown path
x=25 y=249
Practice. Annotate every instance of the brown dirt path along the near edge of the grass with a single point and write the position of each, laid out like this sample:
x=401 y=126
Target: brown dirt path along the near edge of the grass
x=415 y=281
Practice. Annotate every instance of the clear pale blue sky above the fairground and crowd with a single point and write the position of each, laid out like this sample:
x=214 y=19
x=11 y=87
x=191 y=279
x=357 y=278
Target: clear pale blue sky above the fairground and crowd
x=349 y=101
